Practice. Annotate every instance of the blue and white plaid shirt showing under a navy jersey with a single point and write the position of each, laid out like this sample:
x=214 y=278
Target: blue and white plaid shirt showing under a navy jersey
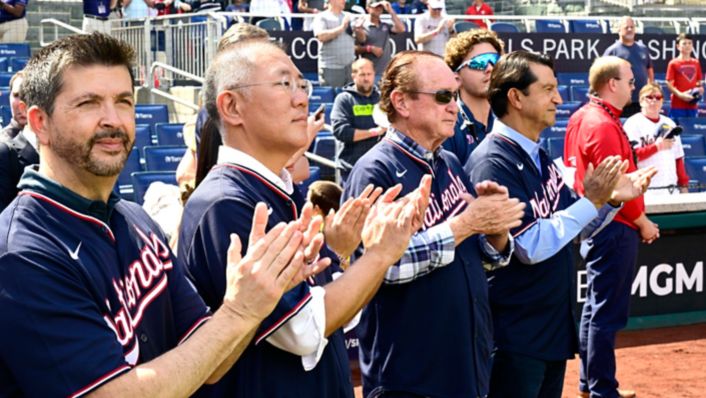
x=434 y=247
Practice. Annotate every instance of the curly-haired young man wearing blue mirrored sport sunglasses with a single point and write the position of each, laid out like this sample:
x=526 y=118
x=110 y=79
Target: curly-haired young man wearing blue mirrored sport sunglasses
x=472 y=54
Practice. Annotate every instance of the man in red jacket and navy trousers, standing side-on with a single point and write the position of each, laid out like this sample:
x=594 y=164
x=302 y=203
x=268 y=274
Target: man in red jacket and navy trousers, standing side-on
x=594 y=132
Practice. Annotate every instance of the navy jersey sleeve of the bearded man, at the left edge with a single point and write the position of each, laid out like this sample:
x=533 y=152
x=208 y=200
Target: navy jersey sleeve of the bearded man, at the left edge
x=57 y=341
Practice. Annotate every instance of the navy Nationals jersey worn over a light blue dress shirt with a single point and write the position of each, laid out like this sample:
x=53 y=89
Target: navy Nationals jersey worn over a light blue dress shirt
x=531 y=304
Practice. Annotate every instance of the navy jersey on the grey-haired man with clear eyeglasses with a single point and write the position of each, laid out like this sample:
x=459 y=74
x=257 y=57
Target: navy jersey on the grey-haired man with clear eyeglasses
x=224 y=203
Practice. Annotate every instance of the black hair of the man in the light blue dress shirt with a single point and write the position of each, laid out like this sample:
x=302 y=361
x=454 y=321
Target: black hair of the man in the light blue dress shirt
x=513 y=71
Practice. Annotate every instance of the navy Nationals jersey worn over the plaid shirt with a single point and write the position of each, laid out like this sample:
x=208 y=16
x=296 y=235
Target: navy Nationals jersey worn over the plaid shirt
x=431 y=336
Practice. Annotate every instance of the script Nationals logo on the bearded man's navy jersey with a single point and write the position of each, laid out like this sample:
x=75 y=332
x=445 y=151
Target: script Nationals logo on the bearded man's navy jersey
x=144 y=281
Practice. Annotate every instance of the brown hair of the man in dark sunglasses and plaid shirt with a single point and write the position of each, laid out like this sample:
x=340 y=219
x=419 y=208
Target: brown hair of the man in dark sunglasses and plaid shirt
x=400 y=75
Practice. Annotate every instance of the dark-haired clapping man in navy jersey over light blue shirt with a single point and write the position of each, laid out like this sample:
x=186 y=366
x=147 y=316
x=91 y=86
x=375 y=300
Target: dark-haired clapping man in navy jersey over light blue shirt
x=531 y=299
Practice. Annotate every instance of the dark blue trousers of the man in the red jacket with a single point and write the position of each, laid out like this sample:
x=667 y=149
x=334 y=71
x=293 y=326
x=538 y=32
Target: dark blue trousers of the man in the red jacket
x=610 y=267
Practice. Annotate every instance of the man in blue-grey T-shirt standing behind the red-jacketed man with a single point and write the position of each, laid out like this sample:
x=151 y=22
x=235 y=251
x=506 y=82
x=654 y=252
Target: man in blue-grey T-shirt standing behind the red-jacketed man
x=637 y=55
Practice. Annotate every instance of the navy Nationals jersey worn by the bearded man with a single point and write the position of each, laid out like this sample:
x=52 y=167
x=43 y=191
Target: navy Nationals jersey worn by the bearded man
x=87 y=290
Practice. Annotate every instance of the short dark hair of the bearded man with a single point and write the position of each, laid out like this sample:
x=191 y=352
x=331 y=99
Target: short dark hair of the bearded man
x=44 y=72
